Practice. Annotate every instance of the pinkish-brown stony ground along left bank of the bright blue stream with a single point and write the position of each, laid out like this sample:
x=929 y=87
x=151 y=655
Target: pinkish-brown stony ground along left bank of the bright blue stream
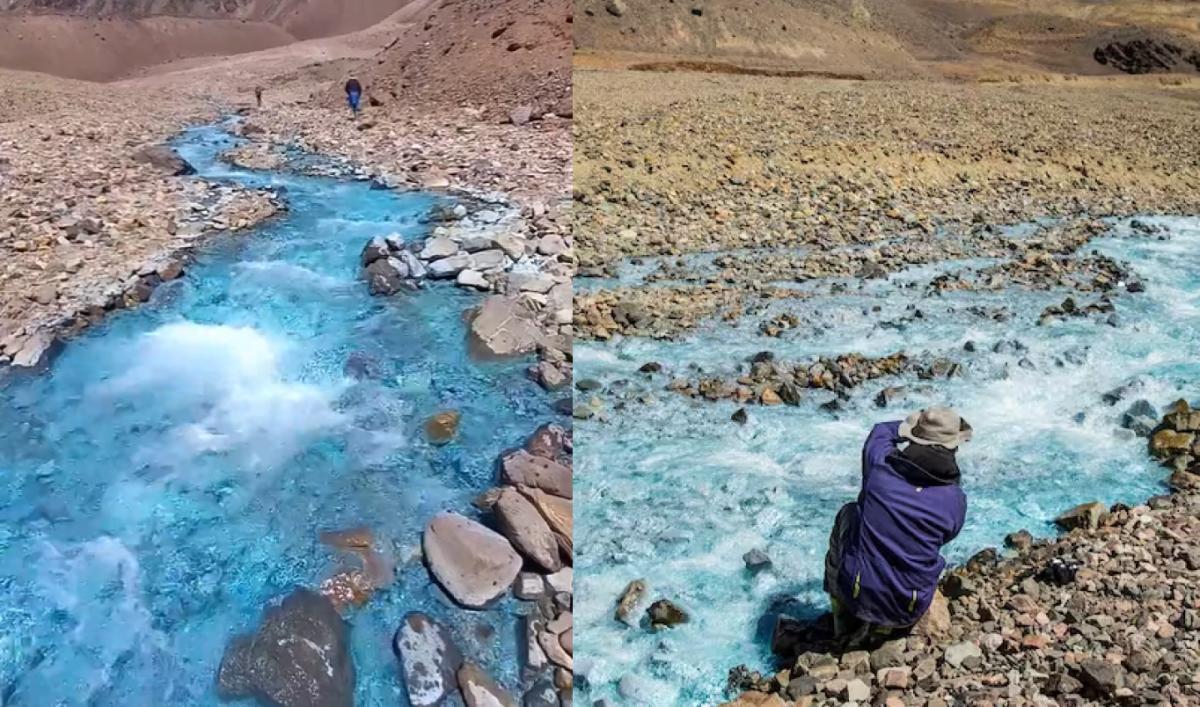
x=94 y=209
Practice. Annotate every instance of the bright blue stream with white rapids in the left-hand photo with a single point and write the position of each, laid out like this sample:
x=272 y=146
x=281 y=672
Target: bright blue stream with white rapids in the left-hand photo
x=170 y=474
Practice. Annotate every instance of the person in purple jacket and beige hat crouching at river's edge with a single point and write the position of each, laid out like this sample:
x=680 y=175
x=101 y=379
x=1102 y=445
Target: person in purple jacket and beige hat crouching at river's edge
x=885 y=550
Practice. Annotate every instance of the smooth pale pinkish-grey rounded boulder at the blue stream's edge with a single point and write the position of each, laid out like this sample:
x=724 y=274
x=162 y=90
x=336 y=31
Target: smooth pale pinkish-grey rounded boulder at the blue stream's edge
x=473 y=564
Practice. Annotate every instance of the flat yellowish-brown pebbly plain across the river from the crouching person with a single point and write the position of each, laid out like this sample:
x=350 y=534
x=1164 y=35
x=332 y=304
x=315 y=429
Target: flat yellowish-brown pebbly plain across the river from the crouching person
x=859 y=172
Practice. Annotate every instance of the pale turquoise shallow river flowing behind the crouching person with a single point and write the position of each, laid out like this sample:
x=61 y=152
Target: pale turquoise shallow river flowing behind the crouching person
x=674 y=493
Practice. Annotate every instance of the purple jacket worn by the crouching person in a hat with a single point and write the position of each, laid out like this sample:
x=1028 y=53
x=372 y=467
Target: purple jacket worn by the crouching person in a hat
x=892 y=559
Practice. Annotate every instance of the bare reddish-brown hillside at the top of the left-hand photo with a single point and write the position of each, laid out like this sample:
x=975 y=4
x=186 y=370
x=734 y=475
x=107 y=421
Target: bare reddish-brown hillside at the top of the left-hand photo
x=106 y=40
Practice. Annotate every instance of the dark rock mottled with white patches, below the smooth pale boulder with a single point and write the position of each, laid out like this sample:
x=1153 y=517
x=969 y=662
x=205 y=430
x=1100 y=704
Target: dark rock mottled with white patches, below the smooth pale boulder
x=429 y=660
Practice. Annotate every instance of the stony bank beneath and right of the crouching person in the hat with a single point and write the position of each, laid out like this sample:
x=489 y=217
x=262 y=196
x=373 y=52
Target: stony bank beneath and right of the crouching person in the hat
x=1106 y=614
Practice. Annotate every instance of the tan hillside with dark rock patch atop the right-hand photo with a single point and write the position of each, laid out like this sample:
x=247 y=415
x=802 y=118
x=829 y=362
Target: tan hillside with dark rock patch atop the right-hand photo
x=878 y=39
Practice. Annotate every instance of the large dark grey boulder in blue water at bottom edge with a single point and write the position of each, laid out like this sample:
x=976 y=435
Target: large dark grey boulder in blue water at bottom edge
x=299 y=657
